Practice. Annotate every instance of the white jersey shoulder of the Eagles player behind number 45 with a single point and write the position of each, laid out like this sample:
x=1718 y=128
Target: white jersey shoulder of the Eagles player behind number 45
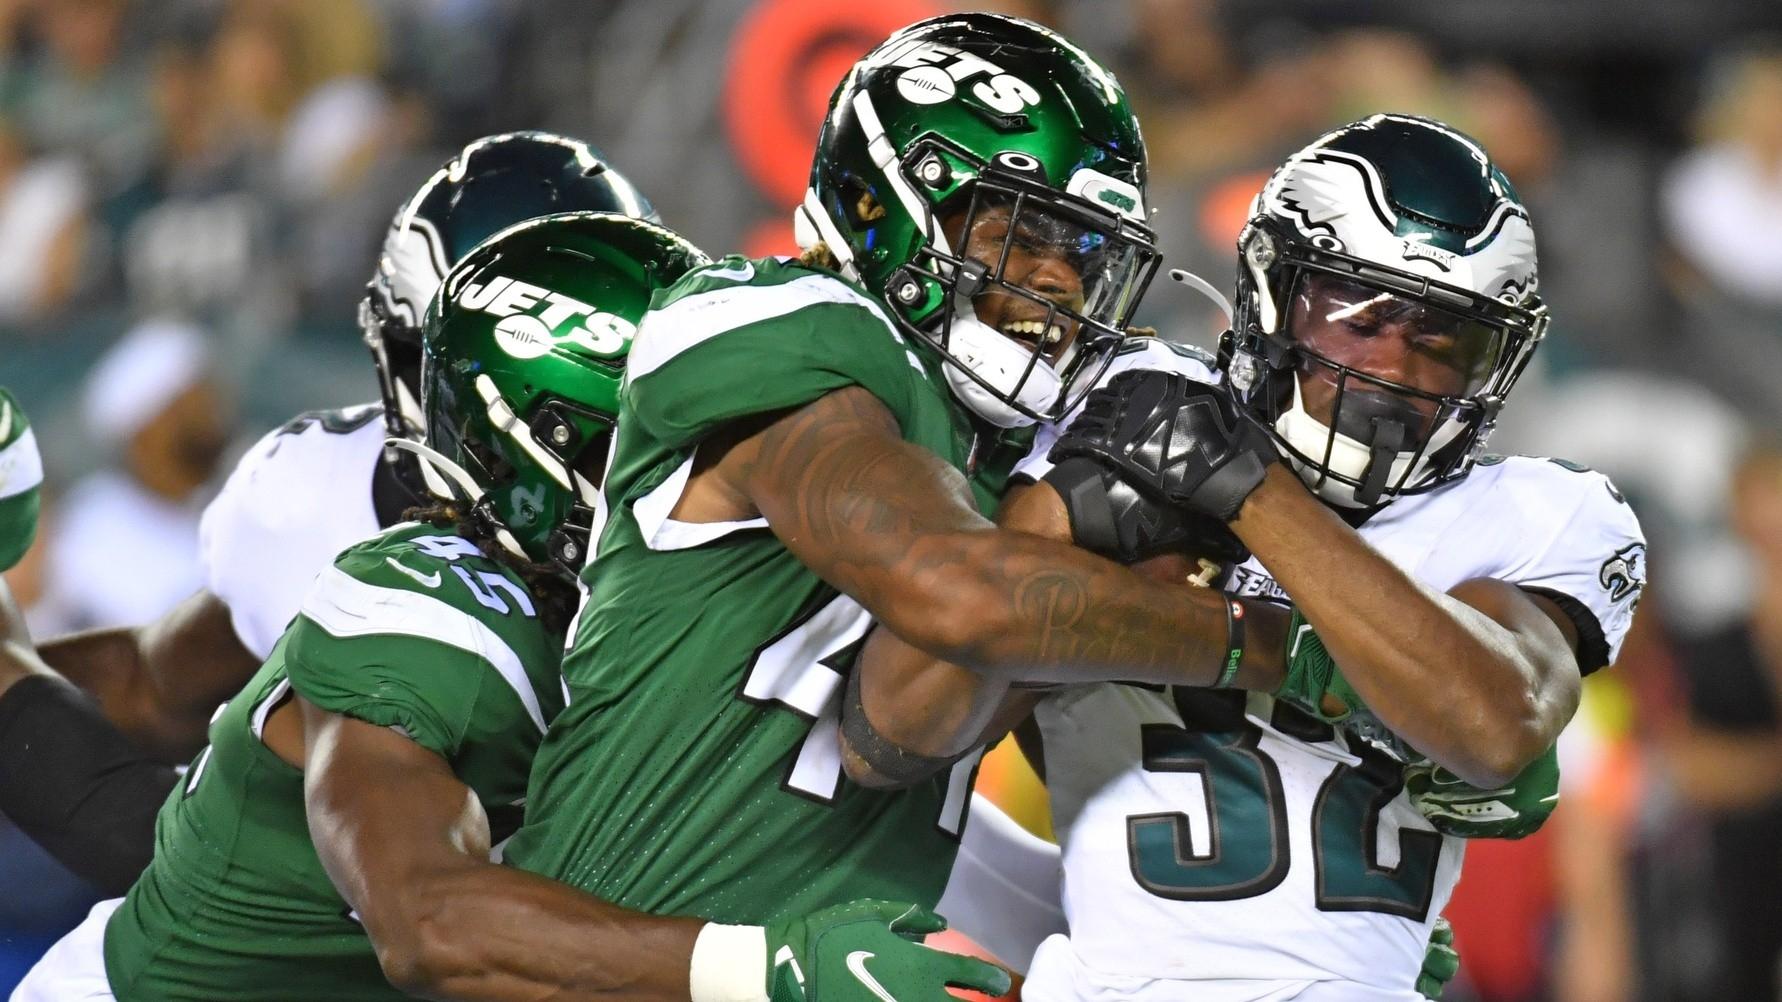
x=295 y=502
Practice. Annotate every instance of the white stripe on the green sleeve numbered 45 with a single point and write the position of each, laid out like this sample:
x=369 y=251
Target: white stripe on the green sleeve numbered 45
x=347 y=607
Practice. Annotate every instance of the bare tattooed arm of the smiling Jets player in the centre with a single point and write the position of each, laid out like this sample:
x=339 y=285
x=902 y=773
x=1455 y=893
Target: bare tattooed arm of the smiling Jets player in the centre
x=894 y=527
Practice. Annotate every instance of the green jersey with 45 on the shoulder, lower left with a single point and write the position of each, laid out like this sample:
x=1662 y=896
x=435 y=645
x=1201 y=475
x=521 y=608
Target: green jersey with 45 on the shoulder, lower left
x=411 y=630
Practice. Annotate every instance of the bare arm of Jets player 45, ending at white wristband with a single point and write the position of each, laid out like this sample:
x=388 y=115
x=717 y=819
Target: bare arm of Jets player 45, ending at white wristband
x=407 y=846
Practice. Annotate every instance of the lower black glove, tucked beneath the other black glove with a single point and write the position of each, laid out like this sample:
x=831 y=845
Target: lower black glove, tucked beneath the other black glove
x=1125 y=525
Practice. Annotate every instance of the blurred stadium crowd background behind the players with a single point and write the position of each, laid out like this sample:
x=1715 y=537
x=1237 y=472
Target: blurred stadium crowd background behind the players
x=192 y=195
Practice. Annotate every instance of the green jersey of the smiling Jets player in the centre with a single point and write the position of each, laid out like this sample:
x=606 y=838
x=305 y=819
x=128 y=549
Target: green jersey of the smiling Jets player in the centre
x=696 y=769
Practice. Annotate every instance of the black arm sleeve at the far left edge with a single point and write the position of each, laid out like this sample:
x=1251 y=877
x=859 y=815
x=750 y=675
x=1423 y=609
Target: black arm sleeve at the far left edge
x=76 y=785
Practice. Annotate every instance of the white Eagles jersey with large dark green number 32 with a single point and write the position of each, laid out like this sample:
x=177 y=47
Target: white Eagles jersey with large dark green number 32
x=1222 y=848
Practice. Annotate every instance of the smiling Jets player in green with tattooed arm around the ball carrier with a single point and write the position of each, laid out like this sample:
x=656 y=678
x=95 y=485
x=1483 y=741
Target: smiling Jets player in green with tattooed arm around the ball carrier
x=808 y=448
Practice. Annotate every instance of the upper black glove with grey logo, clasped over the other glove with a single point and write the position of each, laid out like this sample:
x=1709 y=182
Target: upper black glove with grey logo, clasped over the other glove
x=1173 y=438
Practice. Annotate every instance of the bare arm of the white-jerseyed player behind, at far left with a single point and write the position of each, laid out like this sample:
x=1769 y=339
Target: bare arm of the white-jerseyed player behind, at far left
x=159 y=684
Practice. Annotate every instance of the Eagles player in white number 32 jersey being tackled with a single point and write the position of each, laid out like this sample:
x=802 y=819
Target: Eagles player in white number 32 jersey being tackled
x=1225 y=844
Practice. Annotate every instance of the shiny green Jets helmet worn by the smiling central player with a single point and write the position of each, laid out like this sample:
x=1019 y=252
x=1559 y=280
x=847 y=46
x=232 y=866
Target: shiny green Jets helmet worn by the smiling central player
x=974 y=122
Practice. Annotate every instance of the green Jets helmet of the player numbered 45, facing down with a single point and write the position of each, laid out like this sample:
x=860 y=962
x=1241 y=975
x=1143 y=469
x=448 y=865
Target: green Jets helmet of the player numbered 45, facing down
x=521 y=363
